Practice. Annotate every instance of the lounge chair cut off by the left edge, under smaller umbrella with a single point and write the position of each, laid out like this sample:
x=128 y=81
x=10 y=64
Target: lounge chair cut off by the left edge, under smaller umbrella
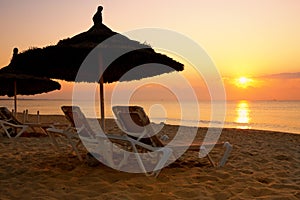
x=14 y=128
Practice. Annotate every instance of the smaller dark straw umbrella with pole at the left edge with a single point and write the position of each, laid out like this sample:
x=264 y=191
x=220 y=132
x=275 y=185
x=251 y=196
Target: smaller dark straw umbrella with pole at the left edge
x=13 y=84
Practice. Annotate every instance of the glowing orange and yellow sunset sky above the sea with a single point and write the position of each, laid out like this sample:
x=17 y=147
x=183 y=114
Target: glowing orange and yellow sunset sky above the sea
x=258 y=39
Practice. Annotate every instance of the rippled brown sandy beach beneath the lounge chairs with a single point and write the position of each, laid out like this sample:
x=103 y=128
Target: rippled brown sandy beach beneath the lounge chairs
x=262 y=165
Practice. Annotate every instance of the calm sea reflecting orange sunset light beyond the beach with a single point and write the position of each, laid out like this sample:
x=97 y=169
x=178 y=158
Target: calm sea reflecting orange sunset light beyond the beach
x=265 y=115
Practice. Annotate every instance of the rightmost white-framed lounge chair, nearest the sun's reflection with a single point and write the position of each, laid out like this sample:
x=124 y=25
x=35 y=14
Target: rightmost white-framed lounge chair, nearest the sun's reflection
x=134 y=121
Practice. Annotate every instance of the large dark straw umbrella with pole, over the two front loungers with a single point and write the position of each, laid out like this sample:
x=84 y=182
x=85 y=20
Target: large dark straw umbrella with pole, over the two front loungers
x=63 y=60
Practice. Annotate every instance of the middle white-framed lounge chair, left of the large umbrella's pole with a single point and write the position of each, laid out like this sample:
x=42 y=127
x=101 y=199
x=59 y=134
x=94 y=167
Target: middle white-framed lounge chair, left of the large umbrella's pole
x=80 y=132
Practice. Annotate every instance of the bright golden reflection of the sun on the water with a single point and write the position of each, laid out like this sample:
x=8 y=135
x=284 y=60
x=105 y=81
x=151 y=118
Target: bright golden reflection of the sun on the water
x=243 y=115
